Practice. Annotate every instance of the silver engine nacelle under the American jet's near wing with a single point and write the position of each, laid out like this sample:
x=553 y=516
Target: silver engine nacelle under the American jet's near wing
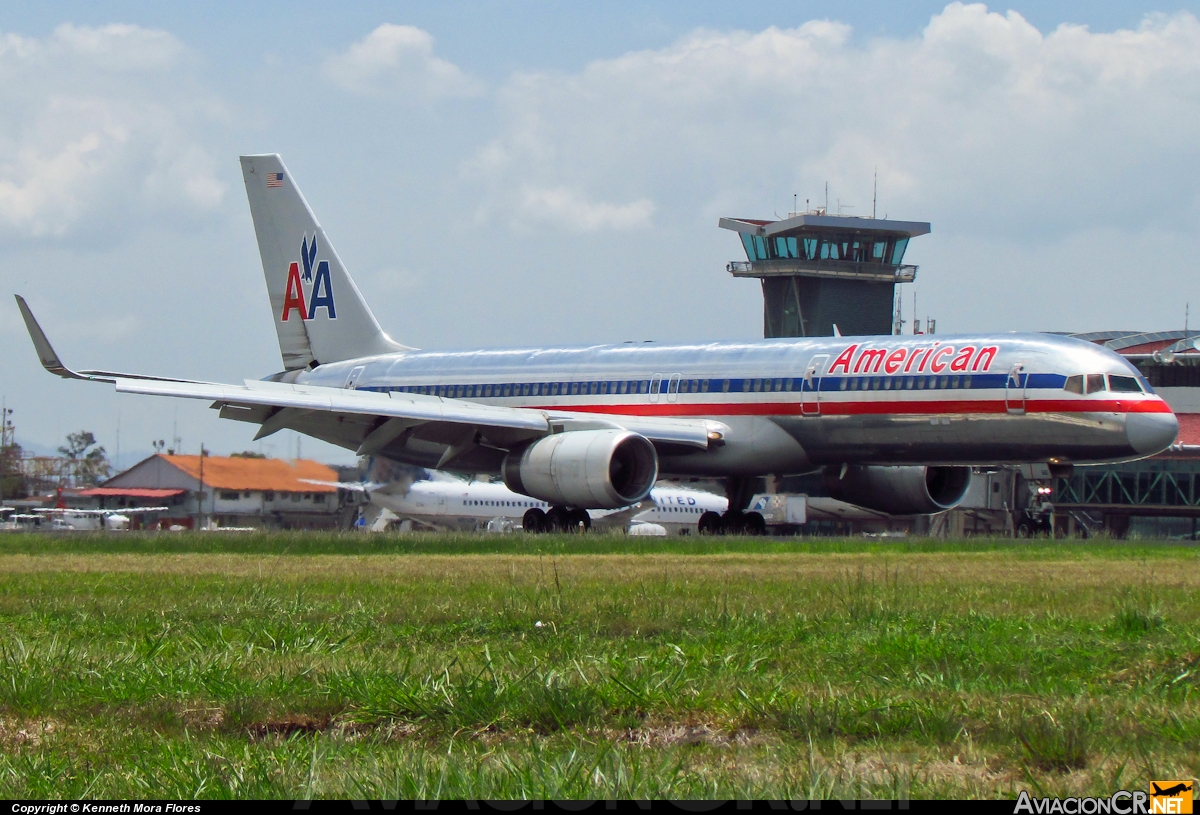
x=585 y=469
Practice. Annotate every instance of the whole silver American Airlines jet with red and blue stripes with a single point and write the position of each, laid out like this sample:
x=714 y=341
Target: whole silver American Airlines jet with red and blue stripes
x=896 y=423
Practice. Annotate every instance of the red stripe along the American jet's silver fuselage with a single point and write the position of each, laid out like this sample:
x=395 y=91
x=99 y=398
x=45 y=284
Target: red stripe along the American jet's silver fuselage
x=832 y=409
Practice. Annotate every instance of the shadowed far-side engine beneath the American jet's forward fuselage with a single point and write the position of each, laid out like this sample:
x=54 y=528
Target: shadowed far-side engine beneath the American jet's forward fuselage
x=901 y=490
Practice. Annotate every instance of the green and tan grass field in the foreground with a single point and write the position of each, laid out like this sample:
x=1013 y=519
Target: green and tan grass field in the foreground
x=316 y=666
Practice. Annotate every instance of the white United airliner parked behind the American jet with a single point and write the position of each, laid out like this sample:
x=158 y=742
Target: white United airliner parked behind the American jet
x=452 y=504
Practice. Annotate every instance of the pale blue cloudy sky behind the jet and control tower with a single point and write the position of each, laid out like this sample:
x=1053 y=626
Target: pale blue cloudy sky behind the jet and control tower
x=547 y=173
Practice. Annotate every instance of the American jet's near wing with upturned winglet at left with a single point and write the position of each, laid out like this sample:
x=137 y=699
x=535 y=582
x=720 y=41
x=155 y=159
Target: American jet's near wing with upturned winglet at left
x=368 y=422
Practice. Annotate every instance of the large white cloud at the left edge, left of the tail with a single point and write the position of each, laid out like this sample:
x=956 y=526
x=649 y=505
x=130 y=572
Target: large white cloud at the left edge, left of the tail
x=98 y=130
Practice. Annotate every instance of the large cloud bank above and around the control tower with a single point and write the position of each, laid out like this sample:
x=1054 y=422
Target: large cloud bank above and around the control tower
x=982 y=124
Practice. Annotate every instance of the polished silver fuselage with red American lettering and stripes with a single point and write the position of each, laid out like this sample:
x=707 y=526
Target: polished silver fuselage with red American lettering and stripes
x=793 y=405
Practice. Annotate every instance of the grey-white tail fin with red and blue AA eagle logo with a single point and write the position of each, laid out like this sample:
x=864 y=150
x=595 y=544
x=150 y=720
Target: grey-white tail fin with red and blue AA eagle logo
x=320 y=313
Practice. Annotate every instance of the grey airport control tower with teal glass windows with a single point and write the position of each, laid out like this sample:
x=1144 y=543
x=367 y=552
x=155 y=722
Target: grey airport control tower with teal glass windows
x=821 y=271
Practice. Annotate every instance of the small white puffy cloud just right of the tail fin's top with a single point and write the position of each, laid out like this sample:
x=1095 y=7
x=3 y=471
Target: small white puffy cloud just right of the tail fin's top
x=398 y=61
